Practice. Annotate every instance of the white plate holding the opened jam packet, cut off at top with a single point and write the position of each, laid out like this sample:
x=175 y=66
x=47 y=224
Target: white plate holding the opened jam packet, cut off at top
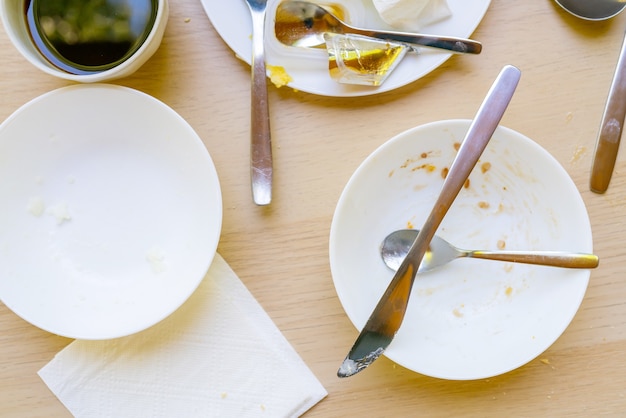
x=309 y=67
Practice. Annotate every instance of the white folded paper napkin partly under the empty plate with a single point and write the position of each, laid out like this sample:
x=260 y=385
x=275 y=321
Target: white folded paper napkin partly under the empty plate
x=219 y=355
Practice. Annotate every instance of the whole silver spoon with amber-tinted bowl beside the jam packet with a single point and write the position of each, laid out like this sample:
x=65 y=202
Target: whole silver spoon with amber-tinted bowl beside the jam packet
x=300 y=23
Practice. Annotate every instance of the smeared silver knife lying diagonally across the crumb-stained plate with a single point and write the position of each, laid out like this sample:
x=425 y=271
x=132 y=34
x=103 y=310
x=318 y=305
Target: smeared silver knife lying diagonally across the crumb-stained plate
x=388 y=315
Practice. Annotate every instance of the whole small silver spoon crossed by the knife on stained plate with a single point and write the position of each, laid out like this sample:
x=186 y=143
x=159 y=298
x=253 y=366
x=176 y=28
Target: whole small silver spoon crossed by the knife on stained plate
x=395 y=247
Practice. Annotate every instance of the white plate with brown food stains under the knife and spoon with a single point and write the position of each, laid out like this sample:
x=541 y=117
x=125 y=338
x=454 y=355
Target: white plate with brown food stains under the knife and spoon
x=472 y=318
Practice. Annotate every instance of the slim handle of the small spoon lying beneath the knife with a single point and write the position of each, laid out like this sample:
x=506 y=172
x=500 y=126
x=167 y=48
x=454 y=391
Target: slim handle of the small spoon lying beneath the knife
x=543 y=258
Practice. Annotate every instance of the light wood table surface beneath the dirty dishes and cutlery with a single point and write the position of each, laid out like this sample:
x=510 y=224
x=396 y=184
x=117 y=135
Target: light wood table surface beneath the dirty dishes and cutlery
x=281 y=252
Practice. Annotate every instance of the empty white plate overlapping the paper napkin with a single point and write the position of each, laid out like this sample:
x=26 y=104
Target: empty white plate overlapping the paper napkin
x=111 y=211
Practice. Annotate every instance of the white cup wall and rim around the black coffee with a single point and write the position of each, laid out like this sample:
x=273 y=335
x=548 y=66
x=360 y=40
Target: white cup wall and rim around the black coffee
x=13 y=19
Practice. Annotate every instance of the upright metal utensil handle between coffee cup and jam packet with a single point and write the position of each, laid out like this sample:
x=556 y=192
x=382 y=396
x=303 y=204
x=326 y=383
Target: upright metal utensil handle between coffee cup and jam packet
x=261 y=169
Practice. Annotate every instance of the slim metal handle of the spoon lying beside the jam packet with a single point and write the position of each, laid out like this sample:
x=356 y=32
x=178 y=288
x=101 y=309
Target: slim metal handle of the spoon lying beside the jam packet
x=452 y=44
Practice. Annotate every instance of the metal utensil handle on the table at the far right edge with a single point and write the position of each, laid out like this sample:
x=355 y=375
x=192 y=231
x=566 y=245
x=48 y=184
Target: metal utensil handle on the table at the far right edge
x=611 y=127
